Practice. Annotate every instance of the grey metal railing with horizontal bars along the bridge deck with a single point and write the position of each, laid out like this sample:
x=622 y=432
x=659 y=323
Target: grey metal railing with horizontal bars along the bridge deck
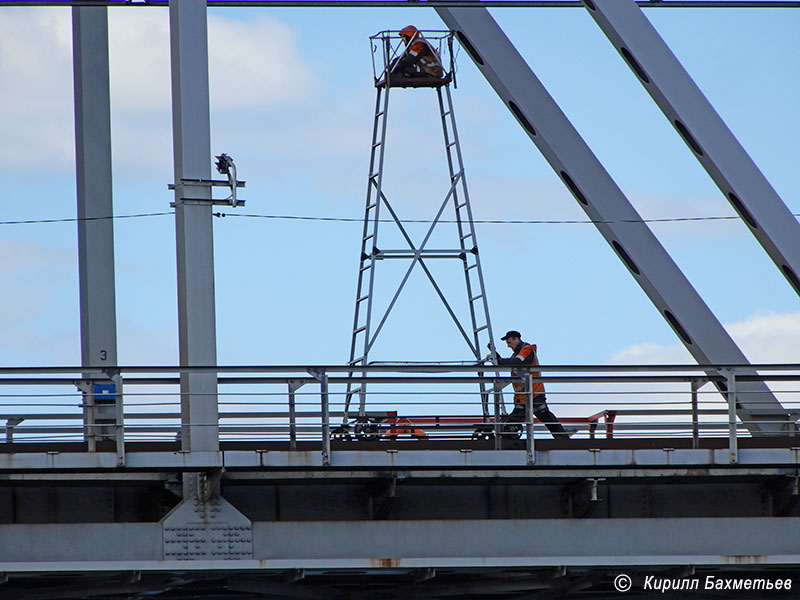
x=301 y=407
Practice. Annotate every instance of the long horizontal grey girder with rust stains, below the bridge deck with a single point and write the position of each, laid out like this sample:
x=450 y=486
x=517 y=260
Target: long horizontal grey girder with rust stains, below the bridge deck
x=93 y=547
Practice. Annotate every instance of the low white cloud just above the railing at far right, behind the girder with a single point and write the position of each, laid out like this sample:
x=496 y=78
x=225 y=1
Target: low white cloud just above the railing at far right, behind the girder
x=764 y=338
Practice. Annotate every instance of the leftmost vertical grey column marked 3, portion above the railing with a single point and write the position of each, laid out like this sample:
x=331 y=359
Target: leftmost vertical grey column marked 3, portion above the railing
x=93 y=171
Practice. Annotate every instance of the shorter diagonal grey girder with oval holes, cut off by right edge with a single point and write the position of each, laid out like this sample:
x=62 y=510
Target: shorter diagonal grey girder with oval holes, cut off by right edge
x=703 y=130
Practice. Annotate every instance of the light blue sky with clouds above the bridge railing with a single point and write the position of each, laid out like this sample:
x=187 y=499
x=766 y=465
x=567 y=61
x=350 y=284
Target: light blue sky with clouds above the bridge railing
x=292 y=102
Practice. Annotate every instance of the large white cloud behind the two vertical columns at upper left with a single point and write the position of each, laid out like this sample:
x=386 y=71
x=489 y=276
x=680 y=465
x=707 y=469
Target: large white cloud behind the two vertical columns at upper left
x=253 y=64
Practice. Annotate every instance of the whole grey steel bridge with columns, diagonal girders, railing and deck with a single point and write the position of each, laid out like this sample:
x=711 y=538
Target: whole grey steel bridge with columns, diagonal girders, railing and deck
x=250 y=482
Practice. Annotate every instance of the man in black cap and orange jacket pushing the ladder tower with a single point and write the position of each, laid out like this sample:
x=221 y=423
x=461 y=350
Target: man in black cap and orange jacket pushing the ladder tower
x=524 y=356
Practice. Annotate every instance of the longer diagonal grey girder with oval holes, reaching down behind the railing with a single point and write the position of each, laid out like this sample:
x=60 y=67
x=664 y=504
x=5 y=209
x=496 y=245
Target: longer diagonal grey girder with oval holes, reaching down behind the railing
x=613 y=214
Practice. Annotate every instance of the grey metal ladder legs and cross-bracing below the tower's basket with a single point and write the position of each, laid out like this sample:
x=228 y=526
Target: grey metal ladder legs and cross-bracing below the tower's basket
x=478 y=332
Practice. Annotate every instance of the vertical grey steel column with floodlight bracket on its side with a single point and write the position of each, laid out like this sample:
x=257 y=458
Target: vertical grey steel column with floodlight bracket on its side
x=191 y=138
